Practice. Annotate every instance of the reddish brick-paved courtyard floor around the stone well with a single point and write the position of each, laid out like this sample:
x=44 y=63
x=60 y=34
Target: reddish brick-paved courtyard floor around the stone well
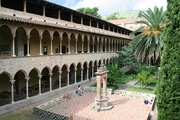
x=124 y=108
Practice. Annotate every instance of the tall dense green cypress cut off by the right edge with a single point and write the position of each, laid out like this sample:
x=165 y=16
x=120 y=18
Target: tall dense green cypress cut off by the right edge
x=168 y=91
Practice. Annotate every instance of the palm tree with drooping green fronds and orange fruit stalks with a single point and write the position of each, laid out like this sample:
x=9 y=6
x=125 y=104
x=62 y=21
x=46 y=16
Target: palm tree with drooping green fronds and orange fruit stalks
x=147 y=43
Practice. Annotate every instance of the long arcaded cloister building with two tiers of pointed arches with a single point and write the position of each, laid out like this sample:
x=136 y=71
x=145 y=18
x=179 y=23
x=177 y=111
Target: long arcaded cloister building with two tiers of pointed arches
x=46 y=47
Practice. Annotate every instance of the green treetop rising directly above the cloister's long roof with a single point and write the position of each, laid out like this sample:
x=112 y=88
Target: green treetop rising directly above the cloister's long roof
x=90 y=11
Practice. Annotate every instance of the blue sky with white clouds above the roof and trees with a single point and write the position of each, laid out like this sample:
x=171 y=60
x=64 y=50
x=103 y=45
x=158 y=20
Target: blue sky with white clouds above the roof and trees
x=108 y=7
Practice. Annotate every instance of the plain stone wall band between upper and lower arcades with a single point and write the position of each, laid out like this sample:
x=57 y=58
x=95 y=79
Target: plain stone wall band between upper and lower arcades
x=12 y=65
